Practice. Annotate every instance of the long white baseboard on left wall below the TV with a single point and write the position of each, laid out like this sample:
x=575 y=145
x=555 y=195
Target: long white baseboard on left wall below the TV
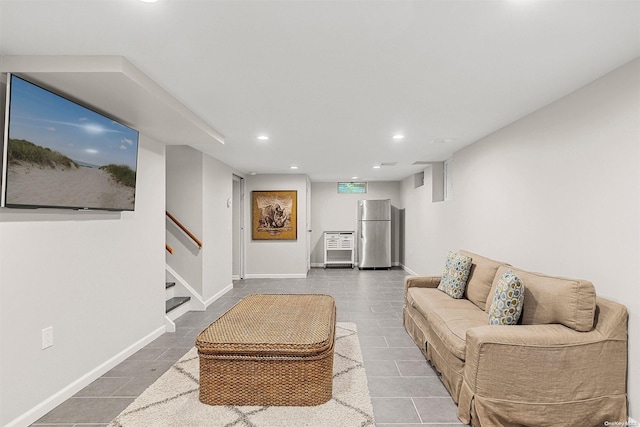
x=56 y=399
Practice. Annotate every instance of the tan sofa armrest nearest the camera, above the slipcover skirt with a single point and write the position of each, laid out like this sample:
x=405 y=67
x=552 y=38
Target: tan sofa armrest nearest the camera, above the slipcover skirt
x=543 y=363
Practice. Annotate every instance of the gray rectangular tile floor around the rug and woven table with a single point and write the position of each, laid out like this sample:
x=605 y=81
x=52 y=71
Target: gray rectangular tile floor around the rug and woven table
x=404 y=389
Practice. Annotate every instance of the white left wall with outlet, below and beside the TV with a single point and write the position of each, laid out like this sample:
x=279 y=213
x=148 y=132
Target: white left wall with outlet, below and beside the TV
x=97 y=278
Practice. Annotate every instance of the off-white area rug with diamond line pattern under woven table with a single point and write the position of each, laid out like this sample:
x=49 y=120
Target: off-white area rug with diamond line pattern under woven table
x=173 y=399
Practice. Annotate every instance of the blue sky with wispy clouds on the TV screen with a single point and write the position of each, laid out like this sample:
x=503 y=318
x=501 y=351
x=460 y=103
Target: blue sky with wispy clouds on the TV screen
x=51 y=121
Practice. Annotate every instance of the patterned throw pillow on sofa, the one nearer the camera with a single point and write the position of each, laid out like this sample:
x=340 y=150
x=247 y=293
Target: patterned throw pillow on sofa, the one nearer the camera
x=507 y=301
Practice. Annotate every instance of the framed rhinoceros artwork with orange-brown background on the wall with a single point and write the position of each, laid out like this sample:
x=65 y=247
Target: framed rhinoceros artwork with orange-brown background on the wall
x=274 y=215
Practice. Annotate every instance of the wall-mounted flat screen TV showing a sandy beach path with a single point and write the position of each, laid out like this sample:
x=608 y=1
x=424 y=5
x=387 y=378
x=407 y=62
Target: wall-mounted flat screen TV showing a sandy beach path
x=59 y=154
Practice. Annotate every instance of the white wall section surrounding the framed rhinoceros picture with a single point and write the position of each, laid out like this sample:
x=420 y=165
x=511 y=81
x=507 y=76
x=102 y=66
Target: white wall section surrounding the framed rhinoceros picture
x=277 y=258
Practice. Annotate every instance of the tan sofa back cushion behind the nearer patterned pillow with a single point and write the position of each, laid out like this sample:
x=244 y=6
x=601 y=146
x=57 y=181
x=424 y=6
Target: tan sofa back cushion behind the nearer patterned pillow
x=548 y=299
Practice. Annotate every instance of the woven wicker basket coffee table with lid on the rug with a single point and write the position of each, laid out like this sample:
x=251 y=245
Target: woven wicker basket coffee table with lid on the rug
x=269 y=350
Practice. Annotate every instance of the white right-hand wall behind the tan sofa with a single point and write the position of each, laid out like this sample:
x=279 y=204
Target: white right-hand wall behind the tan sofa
x=557 y=192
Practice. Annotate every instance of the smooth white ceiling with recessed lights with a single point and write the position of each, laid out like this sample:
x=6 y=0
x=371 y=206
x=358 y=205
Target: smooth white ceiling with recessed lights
x=332 y=81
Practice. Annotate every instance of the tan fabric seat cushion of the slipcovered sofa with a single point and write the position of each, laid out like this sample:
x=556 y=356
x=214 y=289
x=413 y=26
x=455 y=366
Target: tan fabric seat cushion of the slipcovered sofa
x=448 y=318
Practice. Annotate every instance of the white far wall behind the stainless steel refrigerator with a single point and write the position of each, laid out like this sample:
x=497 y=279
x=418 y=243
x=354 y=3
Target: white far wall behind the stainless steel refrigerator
x=338 y=212
